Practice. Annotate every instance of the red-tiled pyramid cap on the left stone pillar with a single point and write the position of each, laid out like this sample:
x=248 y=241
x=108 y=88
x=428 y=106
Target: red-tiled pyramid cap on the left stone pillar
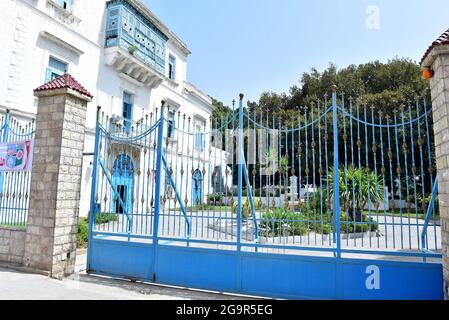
x=63 y=84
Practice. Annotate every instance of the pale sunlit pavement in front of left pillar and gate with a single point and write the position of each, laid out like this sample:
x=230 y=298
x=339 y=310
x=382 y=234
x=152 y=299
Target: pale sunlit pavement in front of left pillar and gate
x=18 y=285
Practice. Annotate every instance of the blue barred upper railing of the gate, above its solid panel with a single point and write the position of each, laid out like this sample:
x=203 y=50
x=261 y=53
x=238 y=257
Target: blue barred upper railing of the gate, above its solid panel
x=337 y=178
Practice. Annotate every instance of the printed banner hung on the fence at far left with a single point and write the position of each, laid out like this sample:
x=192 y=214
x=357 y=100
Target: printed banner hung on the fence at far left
x=16 y=156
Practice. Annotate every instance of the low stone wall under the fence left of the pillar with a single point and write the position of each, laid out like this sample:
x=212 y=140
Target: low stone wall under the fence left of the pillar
x=12 y=245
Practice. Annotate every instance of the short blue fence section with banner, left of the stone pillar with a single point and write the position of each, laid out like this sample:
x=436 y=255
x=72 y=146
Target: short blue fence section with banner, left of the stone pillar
x=14 y=182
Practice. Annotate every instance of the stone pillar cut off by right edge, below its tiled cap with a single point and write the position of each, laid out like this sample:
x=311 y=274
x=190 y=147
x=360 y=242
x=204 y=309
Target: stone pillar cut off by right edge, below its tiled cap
x=437 y=60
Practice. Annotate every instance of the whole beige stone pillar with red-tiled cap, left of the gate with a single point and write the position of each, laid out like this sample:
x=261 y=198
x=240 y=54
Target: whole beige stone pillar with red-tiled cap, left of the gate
x=50 y=243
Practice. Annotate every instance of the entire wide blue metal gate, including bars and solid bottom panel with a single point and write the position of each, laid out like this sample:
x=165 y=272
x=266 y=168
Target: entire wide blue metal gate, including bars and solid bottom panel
x=339 y=203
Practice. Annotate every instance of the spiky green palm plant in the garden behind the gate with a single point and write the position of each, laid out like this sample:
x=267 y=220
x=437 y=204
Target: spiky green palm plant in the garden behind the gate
x=357 y=187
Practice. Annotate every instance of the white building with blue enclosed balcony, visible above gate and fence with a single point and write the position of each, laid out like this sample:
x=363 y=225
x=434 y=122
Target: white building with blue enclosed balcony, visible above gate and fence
x=119 y=50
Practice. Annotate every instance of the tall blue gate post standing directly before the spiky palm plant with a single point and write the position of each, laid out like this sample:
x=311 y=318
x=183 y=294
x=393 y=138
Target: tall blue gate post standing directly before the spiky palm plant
x=337 y=232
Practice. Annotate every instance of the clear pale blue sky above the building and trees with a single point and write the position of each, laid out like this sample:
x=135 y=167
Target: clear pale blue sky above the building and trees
x=253 y=46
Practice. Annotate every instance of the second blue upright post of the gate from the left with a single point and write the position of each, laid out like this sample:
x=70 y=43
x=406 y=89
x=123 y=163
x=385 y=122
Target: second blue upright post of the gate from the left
x=158 y=182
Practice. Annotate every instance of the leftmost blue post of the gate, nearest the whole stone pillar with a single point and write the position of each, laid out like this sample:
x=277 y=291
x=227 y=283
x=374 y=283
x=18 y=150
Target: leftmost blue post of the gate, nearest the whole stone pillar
x=93 y=191
